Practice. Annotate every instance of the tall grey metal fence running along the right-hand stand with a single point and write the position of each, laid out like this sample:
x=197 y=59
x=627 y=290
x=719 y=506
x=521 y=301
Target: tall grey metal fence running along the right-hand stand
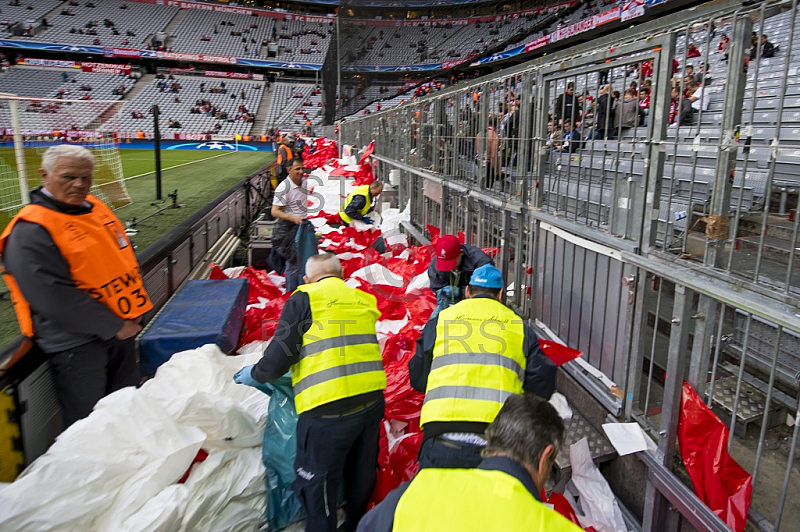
x=660 y=243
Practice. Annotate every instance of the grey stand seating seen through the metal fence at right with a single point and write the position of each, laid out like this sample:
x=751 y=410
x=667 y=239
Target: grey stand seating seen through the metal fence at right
x=690 y=168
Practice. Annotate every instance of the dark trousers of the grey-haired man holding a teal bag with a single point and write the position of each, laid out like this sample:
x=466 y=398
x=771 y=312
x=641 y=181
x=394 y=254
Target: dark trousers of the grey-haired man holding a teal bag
x=332 y=451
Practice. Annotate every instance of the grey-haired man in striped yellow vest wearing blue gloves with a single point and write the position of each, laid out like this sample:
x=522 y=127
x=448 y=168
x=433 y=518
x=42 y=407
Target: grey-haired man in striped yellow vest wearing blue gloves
x=326 y=336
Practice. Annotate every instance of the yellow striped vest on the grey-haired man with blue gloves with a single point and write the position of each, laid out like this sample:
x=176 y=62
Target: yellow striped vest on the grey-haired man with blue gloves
x=339 y=356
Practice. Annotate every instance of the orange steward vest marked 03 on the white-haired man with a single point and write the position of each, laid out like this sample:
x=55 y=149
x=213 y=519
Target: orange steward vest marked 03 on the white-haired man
x=100 y=257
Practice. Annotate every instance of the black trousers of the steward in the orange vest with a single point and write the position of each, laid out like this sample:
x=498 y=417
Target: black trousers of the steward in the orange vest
x=87 y=373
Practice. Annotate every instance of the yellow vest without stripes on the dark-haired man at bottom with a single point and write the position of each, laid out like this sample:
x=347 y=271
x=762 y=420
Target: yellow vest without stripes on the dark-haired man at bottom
x=476 y=500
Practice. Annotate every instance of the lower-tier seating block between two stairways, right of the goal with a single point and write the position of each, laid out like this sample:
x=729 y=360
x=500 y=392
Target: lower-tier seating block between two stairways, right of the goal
x=186 y=107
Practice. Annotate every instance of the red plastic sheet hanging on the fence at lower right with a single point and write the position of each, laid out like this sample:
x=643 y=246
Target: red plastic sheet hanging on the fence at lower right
x=717 y=478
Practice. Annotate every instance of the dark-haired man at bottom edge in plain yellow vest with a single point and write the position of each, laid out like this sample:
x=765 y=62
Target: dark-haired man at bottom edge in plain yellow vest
x=501 y=495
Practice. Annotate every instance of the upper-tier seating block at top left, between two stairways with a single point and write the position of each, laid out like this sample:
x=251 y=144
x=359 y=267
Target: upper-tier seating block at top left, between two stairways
x=108 y=23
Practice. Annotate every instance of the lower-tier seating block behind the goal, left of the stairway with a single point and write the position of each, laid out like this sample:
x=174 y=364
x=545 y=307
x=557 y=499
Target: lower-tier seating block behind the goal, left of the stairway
x=48 y=83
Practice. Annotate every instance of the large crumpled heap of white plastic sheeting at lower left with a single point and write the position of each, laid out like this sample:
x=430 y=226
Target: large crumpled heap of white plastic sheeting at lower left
x=118 y=469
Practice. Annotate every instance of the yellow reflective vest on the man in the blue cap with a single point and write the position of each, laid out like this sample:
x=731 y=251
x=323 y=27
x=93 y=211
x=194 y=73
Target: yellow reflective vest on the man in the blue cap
x=478 y=361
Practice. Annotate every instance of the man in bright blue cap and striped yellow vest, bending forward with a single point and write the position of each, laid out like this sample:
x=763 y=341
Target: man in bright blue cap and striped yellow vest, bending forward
x=469 y=360
